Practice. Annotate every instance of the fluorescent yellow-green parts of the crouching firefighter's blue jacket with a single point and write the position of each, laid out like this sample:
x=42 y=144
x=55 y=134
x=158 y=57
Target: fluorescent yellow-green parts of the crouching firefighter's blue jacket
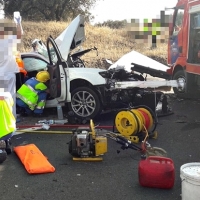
x=29 y=95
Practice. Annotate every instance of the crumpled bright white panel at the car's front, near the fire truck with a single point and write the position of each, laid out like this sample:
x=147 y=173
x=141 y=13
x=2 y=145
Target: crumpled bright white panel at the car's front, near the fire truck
x=140 y=59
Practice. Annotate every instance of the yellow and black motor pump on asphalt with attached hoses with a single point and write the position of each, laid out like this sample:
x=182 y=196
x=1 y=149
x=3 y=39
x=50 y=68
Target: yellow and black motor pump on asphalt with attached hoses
x=89 y=144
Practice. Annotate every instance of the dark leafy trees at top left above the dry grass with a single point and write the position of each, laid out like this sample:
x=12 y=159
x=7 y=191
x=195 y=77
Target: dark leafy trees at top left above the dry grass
x=55 y=10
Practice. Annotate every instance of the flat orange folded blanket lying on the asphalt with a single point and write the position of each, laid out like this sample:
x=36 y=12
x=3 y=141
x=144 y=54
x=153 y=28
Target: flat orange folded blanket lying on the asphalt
x=33 y=159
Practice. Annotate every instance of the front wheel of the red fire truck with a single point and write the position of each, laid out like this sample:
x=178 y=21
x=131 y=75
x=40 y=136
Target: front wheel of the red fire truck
x=180 y=75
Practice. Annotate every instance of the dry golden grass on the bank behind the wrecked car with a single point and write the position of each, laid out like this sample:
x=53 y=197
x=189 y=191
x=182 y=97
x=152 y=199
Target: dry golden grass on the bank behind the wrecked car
x=111 y=43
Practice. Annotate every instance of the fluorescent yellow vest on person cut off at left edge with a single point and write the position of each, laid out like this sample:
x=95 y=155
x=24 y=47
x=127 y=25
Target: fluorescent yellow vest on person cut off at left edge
x=7 y=119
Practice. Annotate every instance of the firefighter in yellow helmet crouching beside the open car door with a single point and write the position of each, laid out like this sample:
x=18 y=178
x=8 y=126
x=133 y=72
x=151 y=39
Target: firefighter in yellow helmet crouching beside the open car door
x=32 y=94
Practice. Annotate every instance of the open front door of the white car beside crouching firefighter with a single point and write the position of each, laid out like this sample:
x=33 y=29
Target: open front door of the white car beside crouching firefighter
x=59 y=83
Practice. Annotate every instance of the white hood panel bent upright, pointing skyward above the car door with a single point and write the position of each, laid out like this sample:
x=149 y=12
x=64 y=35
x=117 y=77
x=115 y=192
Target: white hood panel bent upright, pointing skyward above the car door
x=71 y=37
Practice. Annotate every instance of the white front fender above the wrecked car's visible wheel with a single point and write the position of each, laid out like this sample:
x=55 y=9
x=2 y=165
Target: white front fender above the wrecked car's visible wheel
x=90 y=74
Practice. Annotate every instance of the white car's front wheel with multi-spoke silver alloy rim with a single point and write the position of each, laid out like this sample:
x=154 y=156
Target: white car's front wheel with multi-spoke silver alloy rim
x=85 y=103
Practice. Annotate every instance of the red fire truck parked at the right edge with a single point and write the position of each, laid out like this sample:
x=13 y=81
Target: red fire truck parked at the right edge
x=184 y=47
